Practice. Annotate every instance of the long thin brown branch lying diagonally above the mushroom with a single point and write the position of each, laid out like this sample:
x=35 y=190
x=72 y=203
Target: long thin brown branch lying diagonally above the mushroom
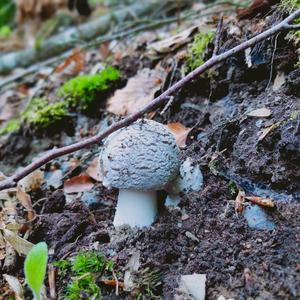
x=13 y=180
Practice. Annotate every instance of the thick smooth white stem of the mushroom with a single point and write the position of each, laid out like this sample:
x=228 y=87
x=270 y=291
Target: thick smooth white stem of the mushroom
x=136 y=208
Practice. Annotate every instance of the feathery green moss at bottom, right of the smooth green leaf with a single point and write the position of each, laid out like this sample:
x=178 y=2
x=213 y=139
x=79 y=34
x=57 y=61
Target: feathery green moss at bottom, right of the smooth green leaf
x=85 y=270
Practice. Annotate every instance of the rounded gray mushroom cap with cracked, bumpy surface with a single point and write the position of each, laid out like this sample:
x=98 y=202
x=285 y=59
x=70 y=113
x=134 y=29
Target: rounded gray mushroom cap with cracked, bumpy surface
x=142 y=156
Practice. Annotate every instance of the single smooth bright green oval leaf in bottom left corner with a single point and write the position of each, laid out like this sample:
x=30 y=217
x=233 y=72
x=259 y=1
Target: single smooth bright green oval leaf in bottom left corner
x=35 y=268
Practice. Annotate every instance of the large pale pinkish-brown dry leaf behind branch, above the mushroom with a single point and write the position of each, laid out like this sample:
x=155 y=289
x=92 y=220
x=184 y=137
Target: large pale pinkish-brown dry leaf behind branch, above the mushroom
x=138 y=92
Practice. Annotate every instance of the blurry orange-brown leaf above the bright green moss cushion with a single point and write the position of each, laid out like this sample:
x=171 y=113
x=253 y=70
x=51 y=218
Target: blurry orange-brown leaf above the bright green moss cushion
x=73 y=64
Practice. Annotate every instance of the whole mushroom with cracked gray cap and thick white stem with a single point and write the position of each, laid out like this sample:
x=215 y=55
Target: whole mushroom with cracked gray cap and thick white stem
x=139 y=160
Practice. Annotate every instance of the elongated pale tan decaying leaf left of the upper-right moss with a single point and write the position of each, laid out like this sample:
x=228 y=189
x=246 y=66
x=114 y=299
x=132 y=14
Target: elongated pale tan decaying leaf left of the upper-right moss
x=172 y=43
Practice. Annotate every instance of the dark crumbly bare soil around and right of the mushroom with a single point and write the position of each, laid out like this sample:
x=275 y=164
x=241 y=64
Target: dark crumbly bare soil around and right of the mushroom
x=203 y=234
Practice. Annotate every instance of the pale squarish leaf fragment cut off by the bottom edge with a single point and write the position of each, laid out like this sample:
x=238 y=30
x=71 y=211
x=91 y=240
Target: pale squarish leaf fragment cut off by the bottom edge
x=193 y=285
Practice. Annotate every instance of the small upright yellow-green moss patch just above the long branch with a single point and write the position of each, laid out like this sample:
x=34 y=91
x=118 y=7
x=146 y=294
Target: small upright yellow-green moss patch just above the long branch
x=195 y=55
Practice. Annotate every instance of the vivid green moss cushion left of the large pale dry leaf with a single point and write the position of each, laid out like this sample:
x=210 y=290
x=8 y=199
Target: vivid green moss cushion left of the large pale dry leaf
x=82 y=90
